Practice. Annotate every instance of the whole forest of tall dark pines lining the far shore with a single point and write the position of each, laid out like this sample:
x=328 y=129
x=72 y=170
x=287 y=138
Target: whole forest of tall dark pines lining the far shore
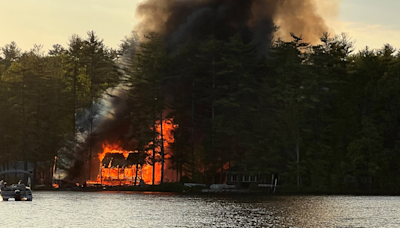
x=323 y=116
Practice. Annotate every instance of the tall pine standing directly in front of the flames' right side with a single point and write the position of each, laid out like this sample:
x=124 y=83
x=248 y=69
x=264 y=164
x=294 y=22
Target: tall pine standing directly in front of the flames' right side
x=146 y=101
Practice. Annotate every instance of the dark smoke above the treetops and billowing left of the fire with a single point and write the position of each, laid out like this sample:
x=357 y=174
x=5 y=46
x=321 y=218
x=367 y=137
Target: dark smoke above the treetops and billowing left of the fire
x=178 y=20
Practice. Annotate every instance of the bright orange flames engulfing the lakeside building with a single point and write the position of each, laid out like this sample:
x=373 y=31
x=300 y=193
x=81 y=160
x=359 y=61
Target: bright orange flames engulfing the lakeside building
x=122 y=167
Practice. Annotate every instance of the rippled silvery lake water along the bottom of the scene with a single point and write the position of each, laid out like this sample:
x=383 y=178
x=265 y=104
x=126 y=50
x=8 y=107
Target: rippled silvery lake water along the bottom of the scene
x=127 y=209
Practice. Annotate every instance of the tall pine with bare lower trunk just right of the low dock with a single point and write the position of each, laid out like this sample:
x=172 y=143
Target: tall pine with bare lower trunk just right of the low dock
x=288 y=91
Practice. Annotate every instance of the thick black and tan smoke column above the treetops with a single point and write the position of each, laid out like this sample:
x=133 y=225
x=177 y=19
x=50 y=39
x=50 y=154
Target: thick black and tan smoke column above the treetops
x=176 y=20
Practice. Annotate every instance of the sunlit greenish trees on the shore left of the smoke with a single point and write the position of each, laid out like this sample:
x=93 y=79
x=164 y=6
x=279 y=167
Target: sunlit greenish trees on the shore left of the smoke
x=44 y=95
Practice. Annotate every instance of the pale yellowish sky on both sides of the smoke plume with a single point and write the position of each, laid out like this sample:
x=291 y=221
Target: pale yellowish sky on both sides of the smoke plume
x=27 y=22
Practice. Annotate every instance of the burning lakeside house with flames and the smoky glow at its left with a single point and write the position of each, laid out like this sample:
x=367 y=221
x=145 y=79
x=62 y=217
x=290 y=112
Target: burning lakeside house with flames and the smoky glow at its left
x=113 y=164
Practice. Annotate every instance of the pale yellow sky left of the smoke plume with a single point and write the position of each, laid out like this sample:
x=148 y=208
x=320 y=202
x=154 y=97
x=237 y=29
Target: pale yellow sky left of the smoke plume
x=48 y=22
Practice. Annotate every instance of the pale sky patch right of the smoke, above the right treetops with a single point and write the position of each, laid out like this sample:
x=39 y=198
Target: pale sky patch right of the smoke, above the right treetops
x=370 y=23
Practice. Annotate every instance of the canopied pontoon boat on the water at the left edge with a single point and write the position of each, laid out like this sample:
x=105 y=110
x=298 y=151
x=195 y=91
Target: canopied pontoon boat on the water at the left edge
x=20 y=191
